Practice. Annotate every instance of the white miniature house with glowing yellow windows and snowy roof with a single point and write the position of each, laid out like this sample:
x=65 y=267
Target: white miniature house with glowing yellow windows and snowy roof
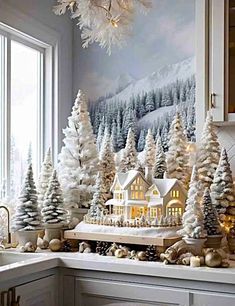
x=134 y=196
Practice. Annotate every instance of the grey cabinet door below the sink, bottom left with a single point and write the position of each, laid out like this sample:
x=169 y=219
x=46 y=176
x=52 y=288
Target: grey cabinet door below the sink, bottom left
x=42 y=292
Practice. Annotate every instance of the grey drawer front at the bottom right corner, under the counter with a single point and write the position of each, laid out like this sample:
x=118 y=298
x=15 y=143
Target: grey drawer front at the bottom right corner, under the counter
x=213 y=299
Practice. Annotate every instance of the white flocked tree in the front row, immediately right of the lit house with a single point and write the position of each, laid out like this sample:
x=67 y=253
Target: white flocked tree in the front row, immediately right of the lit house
x=193 y=226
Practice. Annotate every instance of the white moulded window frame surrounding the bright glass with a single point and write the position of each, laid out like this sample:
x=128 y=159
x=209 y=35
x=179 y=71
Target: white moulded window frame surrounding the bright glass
x=48 y=111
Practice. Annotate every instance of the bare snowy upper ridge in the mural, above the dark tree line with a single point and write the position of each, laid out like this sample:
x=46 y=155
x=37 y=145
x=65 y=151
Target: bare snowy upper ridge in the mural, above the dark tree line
x=164 y=76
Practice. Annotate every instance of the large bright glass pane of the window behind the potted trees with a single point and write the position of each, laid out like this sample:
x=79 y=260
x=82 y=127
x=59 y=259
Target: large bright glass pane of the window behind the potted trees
x=25 y=111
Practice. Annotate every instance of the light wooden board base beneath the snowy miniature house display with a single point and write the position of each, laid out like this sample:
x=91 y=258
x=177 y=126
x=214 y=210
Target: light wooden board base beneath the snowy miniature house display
x=160 y=242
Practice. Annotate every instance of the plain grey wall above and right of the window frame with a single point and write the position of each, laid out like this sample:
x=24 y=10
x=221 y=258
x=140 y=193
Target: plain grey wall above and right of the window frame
x=41 y=12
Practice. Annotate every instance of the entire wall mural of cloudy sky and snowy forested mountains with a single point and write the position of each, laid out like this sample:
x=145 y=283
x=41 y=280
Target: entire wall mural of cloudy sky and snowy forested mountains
x=142 y=85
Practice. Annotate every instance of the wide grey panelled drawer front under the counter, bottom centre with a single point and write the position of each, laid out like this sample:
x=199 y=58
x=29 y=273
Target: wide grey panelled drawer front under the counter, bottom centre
x=90 y=292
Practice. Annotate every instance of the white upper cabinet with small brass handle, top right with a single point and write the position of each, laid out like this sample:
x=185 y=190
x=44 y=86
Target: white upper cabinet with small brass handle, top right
x=215 y=55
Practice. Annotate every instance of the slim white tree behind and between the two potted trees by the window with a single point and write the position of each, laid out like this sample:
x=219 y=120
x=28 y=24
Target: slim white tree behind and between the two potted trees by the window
x=44 y=177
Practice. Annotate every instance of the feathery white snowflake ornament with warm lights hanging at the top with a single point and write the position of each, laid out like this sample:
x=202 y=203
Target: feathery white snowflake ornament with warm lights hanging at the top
x=107 y=22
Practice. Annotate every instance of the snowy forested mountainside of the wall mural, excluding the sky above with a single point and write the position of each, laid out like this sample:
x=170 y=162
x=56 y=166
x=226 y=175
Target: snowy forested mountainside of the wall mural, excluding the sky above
x=146 y=103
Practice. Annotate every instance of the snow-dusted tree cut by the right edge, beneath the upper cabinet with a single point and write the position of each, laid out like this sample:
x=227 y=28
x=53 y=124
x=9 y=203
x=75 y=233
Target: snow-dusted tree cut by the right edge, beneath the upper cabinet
x=222 y=188
